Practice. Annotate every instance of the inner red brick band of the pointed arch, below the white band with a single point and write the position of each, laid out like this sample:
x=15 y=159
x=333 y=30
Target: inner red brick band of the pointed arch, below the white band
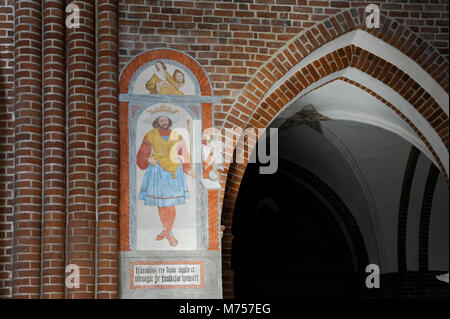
x=333 y=62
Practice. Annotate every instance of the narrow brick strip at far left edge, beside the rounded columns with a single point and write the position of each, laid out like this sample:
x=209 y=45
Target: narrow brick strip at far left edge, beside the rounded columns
x=6 y=144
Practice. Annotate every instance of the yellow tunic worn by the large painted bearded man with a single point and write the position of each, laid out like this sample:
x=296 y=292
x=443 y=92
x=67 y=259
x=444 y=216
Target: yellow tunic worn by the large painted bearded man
x=165 y=151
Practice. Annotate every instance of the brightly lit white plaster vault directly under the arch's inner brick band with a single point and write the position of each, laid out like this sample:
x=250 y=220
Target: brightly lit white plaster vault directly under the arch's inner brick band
x=353 y=104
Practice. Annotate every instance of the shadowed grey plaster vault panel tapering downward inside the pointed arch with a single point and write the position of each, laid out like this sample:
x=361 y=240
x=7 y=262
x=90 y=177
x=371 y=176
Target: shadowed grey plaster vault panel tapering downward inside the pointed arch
x=382 y=157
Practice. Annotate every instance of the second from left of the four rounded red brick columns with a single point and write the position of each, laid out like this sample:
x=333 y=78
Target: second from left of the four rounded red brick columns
x=54 y=219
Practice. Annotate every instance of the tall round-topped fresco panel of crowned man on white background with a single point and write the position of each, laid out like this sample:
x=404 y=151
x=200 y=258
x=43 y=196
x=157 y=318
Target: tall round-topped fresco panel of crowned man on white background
x=165 y=179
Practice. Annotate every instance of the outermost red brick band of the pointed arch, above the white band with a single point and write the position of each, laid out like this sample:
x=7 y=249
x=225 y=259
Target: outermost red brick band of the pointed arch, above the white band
x=391 y=32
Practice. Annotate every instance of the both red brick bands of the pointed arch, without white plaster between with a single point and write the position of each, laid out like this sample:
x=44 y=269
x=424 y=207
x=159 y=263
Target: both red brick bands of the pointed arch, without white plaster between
x=258 y=104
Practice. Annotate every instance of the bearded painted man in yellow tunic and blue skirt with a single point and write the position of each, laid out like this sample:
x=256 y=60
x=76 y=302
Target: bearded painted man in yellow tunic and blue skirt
x=165 y=158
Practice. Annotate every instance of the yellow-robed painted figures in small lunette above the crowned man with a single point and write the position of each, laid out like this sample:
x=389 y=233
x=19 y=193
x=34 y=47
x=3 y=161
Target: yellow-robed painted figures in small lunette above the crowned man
x=164 y=83
